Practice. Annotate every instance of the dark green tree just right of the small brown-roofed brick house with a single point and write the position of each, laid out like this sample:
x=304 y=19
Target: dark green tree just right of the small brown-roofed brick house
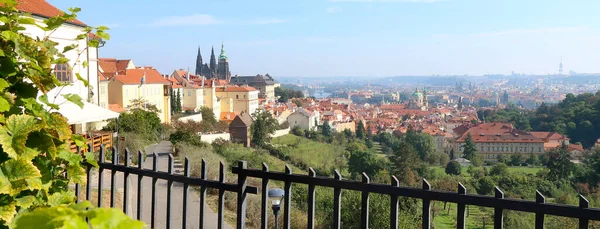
x=263 y=126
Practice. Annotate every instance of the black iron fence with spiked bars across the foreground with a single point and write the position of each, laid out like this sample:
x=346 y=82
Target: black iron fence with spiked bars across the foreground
x=539 y=207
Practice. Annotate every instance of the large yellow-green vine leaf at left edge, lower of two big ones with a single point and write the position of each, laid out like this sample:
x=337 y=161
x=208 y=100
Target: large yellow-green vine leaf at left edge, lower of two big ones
x=18 y=175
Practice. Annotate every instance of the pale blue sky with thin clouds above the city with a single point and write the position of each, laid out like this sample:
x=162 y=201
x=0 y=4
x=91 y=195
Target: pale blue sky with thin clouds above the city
x=360 y=38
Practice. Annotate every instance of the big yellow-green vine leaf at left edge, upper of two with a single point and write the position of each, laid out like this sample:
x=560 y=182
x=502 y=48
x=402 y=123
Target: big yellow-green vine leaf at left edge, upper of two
x=13 y=135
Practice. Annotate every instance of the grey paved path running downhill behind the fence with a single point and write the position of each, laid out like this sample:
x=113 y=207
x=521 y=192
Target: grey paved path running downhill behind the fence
x=193 y=211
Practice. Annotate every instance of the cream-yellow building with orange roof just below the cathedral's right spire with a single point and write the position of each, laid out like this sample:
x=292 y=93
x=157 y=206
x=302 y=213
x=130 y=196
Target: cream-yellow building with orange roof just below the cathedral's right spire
x=242 y=99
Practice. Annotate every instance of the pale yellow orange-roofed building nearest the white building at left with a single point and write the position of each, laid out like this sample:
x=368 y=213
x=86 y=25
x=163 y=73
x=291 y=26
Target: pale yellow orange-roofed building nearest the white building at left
x=141 y=83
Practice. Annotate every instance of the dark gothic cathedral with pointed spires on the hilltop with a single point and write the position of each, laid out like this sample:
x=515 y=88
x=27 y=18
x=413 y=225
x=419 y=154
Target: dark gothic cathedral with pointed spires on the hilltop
x=213 y=70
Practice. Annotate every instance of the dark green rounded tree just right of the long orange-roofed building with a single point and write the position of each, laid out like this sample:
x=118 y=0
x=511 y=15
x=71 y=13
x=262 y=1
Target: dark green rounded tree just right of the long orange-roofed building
x=559 y=163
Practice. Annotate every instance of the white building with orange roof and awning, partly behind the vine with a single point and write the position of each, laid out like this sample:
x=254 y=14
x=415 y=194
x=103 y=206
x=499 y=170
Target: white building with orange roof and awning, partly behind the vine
x=66 y=35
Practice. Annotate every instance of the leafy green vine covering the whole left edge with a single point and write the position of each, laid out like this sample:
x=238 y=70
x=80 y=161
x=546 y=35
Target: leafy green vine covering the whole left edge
x=35 y=155
